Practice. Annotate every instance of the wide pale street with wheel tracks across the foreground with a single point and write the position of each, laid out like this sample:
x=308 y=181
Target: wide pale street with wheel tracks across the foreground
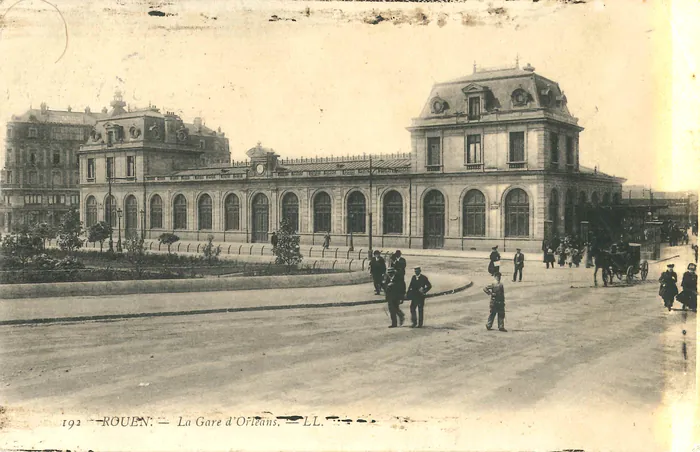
x=579 y=367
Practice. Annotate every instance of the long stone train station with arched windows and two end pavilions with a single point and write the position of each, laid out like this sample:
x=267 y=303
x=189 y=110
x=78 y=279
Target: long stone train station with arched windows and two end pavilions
x=494 y=160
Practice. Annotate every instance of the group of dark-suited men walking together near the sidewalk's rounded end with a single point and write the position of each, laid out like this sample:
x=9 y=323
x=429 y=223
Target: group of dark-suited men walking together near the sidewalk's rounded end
x=391 y=279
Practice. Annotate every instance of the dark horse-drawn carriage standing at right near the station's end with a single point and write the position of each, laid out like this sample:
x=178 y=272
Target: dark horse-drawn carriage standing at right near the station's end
x=622 y=262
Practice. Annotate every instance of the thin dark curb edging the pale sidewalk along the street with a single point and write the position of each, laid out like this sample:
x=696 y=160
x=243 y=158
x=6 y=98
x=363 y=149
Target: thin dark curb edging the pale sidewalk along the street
x=215 y=311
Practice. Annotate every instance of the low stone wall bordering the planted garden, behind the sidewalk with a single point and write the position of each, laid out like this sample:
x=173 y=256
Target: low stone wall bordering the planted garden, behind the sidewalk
x=12 y=291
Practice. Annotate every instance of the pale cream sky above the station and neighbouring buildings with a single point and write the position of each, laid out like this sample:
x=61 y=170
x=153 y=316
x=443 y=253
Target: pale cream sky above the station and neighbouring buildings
x=328 y=83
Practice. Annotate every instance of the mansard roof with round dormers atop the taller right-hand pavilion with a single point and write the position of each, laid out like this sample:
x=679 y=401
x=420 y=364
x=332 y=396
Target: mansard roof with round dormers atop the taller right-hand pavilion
x=505 y=90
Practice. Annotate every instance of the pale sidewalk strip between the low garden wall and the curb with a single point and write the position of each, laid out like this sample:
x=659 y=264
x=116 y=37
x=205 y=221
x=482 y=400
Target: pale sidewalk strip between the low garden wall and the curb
x=48 y=310
